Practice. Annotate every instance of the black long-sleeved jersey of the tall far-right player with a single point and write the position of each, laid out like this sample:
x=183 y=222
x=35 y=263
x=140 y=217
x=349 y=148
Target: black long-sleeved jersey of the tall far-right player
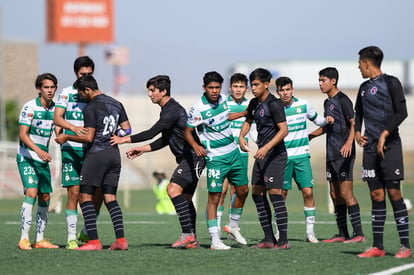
x=381 y=106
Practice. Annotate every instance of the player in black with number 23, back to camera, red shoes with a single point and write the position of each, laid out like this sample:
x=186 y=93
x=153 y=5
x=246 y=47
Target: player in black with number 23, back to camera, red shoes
x=103 y=117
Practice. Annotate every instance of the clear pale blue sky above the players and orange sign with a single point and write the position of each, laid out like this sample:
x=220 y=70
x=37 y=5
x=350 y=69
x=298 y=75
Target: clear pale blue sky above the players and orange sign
x=186 y=38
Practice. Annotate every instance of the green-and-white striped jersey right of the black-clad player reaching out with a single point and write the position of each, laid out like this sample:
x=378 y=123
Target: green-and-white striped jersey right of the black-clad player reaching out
x=213 y=127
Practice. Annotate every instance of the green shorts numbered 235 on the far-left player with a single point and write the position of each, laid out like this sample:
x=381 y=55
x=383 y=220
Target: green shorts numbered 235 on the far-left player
x=35 y=174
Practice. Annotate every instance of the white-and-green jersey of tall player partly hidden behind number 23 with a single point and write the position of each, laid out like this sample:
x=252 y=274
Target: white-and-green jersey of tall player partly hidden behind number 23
x=70 y=100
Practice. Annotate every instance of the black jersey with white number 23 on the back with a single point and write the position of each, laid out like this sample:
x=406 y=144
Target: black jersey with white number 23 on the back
x=103 y=113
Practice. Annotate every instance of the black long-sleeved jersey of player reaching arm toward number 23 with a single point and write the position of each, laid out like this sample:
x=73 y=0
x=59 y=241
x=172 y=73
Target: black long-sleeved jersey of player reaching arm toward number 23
x=172 y=122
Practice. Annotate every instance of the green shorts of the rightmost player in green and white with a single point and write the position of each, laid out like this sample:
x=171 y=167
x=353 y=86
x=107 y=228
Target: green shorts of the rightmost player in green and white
x=301 y=171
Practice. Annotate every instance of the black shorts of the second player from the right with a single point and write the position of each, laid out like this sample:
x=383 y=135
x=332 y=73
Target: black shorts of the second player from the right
x=340 y=170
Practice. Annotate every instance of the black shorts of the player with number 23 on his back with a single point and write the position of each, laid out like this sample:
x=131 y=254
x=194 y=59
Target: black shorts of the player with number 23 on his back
x=101 y=168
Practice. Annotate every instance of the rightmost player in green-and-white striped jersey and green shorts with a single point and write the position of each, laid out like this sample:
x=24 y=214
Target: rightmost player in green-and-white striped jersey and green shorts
x=298 y=166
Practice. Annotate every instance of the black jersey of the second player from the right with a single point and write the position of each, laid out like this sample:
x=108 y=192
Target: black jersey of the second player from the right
x=341 y=109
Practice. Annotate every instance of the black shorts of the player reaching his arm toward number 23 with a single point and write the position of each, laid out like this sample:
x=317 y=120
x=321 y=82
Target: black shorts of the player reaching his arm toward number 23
x=187 y=173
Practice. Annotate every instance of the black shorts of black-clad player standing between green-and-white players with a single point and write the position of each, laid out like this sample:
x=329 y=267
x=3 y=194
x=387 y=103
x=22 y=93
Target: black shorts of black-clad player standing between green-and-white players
x=270 y=171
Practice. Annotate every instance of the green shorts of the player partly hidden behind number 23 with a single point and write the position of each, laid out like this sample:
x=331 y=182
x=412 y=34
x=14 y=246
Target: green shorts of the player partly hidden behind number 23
x=72 y=161
